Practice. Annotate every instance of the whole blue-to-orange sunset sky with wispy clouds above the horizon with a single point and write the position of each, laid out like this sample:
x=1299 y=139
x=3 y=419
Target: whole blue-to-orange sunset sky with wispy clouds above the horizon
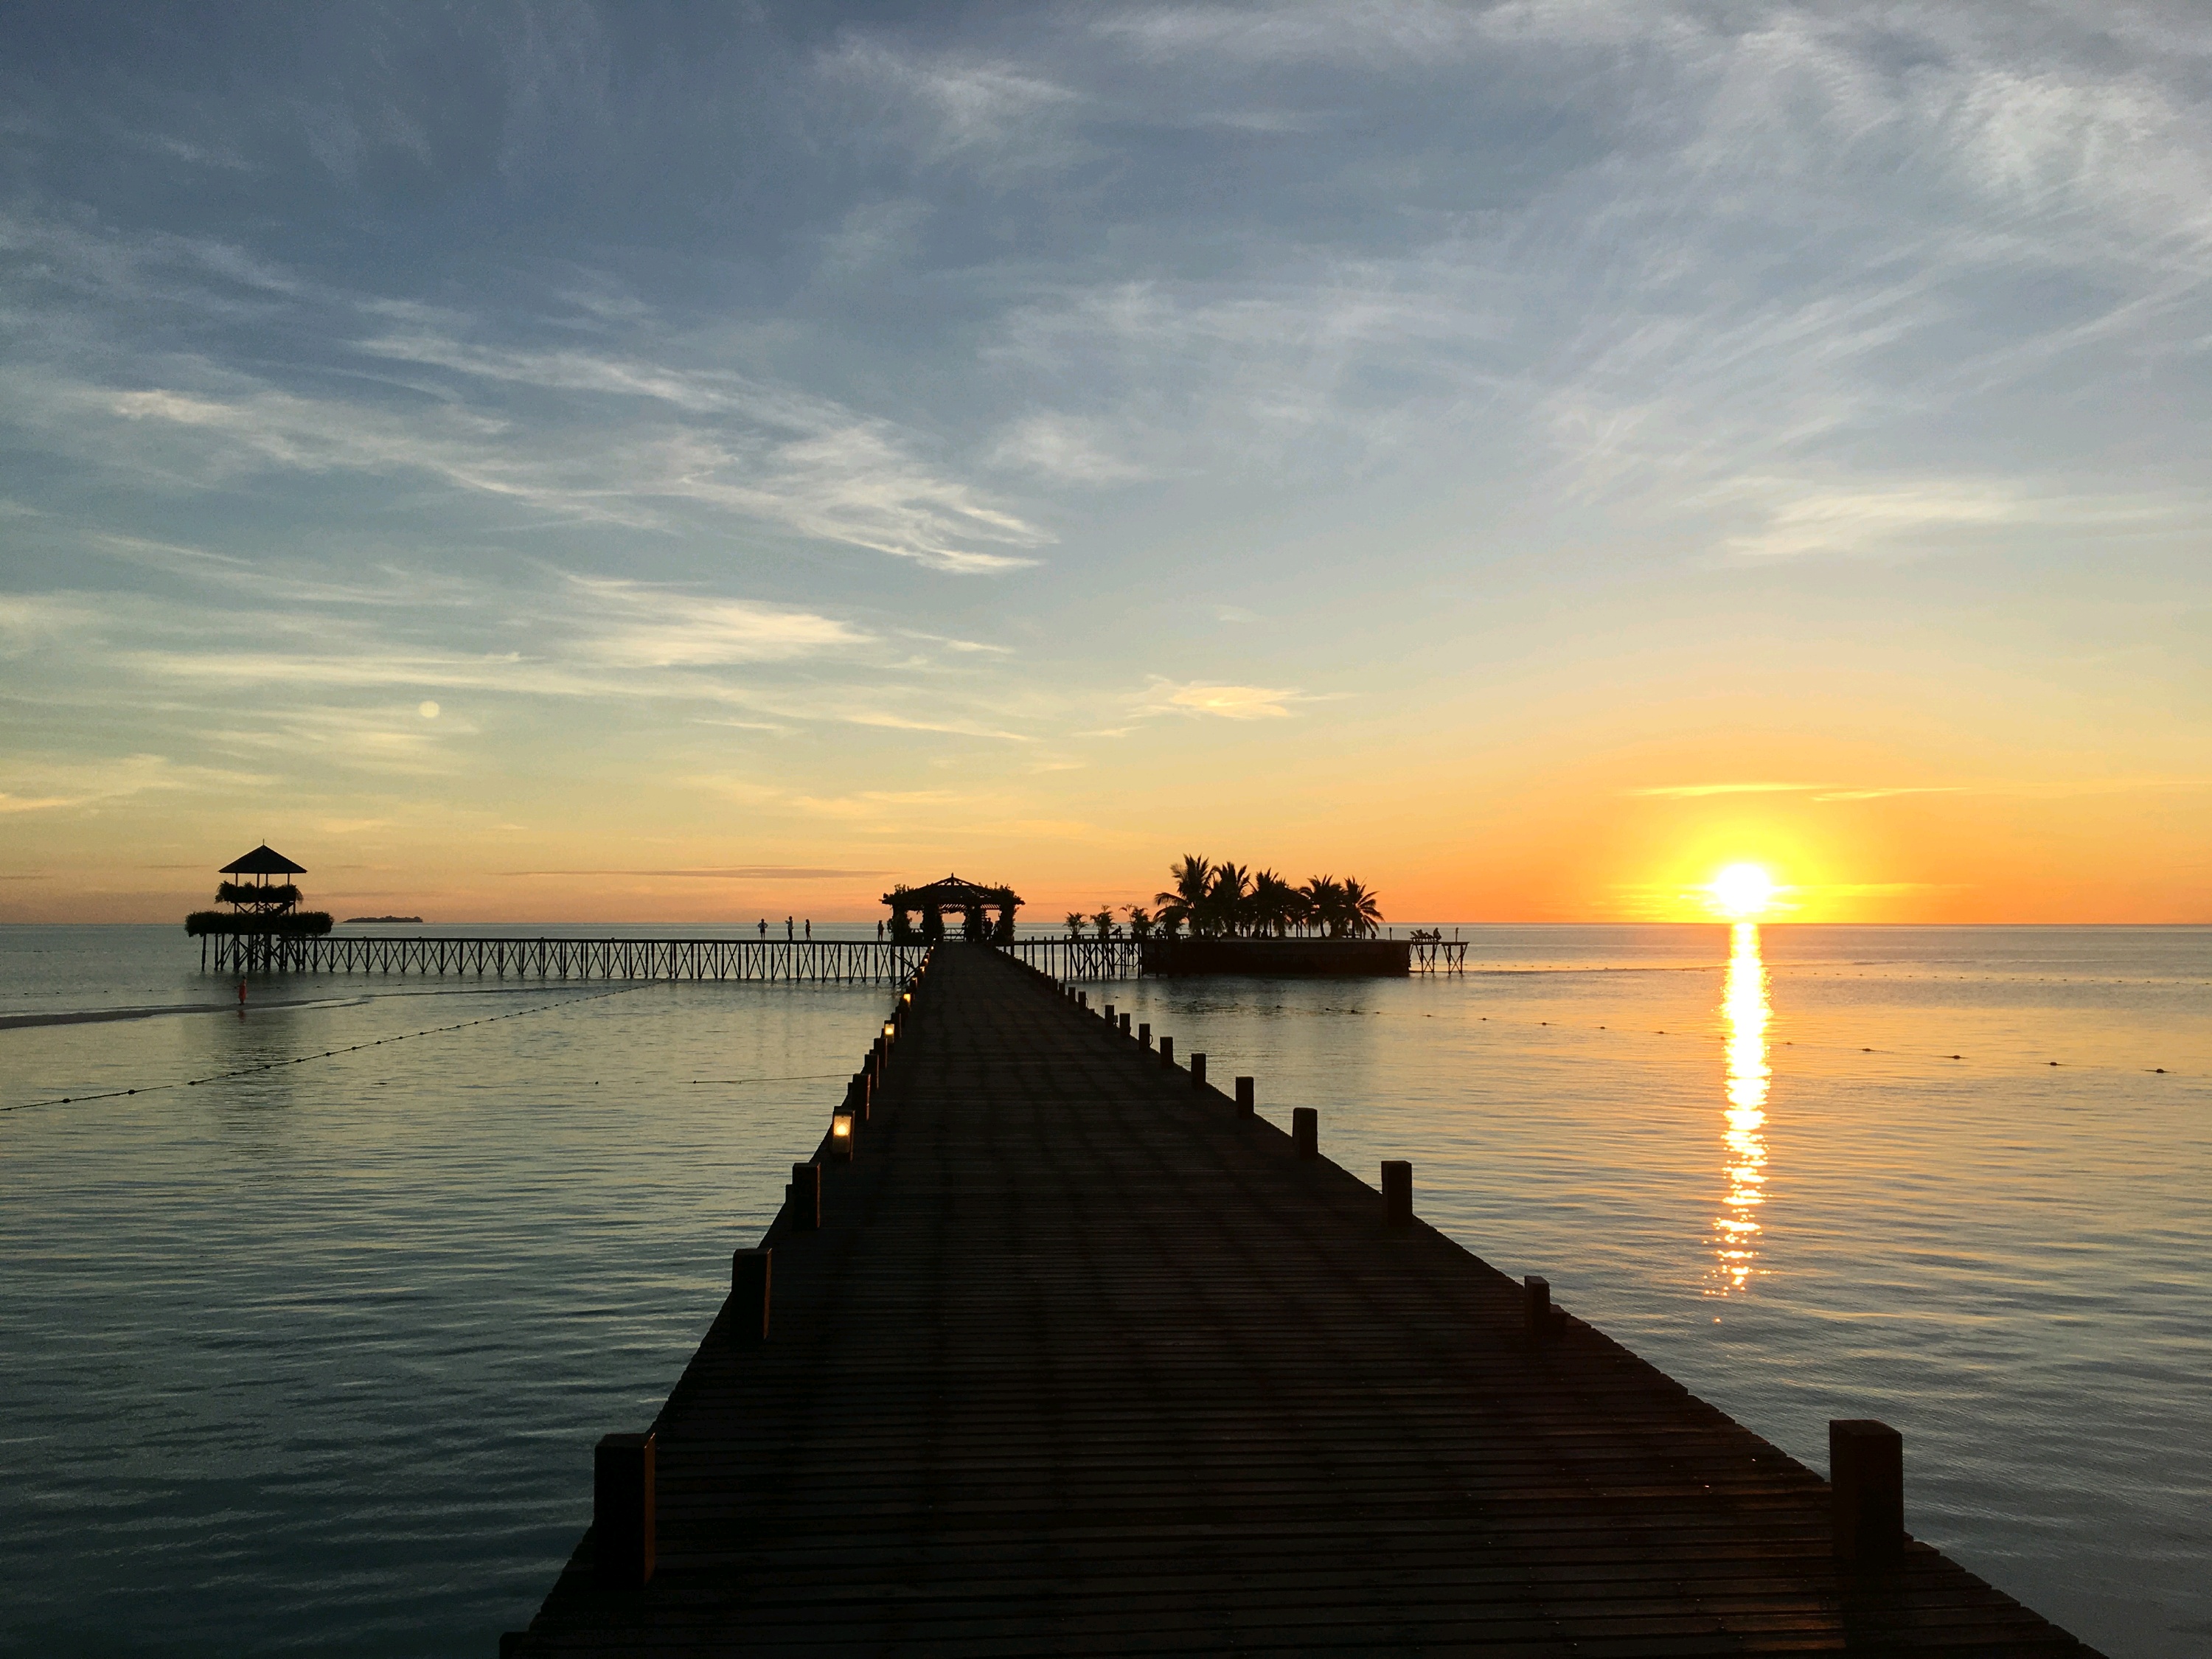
x=698 y=463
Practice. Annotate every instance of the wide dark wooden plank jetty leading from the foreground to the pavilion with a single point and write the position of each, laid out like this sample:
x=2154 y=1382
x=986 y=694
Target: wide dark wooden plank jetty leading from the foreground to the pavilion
x=1083 y=1357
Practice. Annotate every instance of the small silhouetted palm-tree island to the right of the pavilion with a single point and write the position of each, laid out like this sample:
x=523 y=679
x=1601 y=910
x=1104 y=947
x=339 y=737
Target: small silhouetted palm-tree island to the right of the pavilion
x=1229 y=919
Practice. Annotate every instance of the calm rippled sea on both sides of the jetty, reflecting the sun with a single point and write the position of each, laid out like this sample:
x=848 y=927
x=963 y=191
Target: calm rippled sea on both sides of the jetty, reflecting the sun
x=311 y=1355
